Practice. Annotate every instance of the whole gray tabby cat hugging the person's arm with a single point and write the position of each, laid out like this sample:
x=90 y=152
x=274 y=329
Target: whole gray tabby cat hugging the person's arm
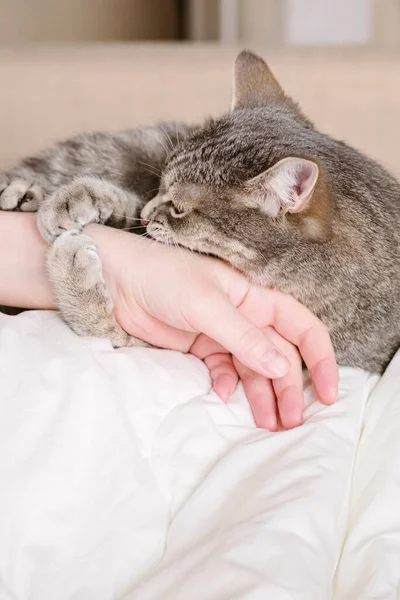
x=260 y=188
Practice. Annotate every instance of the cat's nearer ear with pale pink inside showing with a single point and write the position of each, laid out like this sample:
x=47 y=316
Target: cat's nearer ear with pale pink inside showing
x=289 y=186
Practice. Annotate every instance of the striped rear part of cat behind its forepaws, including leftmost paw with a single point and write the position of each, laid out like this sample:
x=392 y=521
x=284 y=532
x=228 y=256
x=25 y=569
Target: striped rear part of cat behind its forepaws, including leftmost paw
x=131 y=160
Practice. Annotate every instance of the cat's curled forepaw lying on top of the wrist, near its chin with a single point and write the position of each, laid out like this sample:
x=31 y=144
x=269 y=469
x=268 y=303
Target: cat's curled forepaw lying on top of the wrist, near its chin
x=73 y=206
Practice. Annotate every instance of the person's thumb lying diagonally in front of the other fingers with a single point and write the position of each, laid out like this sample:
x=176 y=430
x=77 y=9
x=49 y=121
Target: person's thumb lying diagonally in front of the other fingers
x=220 y=320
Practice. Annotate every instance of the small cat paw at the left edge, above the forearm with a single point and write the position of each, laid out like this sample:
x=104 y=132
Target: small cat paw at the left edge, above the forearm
x=19 y=194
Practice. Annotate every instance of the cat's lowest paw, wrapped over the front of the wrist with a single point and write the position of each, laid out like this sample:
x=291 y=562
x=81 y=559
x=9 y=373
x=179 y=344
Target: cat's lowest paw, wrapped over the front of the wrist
x=75 y=270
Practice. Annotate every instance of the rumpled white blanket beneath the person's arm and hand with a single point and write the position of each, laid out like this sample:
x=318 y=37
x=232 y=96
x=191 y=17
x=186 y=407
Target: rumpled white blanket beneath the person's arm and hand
x=123 y=476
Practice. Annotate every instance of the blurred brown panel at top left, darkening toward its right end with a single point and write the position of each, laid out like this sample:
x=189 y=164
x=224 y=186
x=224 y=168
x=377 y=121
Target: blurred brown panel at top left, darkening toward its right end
x=23 y=21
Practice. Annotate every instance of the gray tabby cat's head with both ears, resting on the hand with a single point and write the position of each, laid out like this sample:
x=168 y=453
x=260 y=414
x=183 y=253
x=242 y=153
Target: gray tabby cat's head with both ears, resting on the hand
x=248 y=184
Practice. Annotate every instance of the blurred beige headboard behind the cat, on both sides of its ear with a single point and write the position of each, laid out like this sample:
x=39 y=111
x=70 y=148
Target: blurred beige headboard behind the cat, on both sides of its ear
x=53 y=92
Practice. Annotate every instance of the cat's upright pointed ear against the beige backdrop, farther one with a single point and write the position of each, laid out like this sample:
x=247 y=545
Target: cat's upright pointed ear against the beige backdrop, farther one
x=253 y=82
